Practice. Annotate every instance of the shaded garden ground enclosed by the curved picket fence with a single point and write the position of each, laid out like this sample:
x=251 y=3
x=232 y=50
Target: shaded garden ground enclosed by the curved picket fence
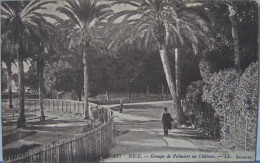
x=58 y=126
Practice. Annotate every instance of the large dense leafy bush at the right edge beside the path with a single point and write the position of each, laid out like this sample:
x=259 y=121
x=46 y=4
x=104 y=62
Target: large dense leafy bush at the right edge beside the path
x=234 y=98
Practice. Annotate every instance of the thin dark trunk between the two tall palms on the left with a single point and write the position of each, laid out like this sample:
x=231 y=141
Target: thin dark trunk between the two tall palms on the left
x=40 y=71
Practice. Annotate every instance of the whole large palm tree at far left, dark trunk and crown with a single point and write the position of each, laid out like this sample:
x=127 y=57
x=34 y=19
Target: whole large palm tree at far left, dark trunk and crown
x=24 y=22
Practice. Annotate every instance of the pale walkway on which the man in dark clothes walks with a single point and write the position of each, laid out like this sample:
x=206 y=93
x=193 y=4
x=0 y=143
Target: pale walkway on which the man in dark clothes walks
x=139 y=131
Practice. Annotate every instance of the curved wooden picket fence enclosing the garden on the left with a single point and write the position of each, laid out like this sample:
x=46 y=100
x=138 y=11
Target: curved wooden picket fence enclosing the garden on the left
x=91 y=145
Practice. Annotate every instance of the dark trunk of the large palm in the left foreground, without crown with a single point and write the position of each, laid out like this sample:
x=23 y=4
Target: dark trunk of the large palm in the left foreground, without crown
x=21 y=119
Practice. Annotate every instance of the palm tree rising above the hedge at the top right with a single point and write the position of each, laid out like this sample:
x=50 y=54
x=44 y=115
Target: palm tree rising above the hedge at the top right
x=235 y=12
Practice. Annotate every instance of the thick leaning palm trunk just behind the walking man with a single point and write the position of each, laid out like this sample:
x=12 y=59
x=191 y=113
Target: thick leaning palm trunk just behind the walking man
x=169 y=79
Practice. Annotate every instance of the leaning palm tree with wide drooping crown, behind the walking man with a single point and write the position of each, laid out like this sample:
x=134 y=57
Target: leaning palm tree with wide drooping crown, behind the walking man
x=168 y=23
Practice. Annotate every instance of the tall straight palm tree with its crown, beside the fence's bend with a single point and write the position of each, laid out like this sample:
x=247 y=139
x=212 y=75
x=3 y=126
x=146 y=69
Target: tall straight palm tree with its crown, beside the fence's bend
x=86 y=15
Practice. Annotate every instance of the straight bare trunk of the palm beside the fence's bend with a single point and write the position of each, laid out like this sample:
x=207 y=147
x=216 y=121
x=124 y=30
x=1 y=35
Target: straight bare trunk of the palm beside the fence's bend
x=85 y=63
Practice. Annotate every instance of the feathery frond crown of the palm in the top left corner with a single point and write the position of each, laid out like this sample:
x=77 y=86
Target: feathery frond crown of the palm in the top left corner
x=23 y=25
